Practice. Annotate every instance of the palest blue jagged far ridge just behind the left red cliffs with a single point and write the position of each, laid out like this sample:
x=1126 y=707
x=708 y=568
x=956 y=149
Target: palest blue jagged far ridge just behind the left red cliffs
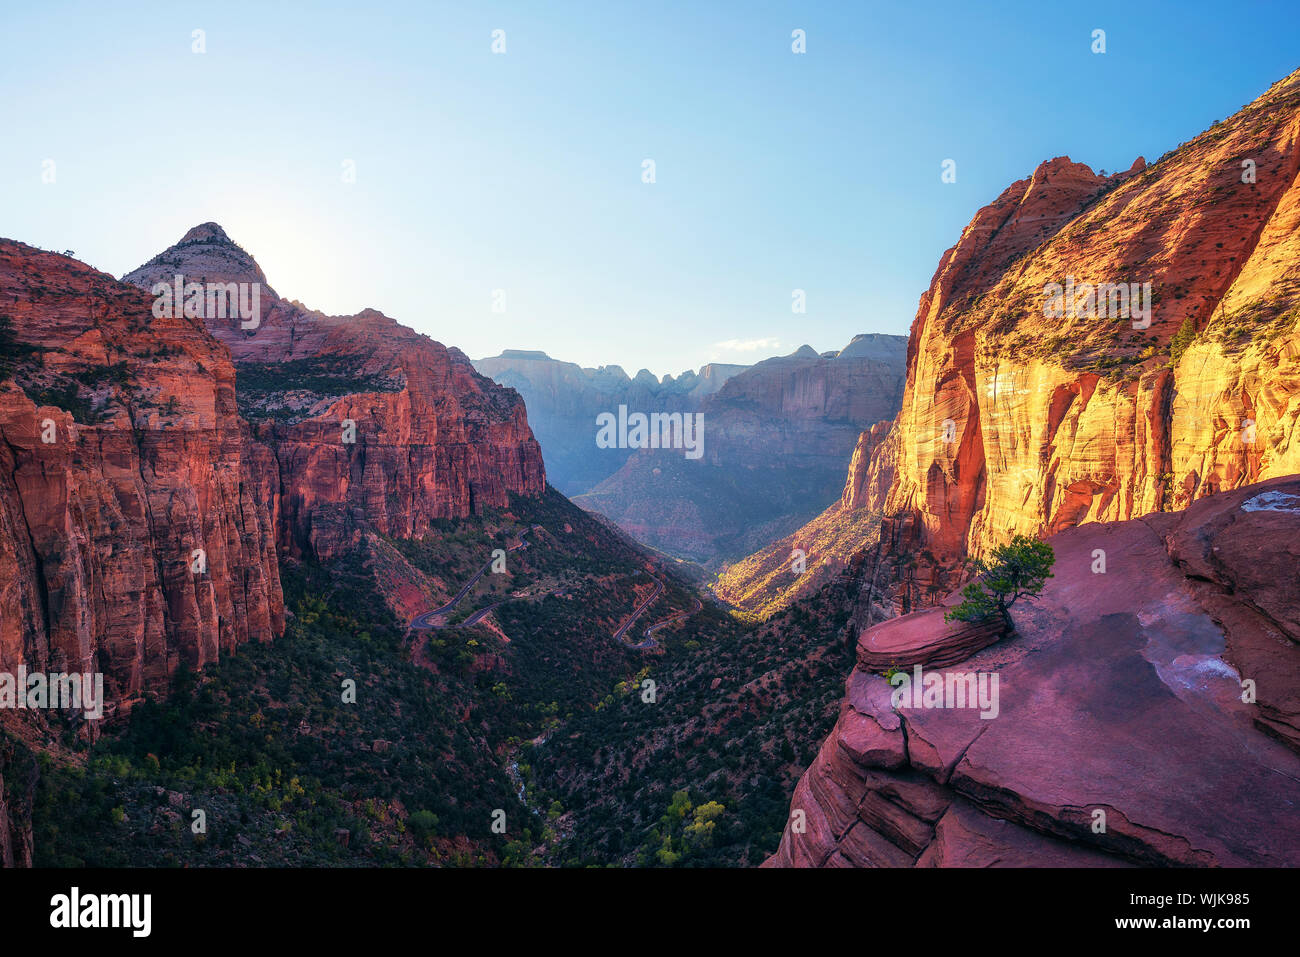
x=565 y=400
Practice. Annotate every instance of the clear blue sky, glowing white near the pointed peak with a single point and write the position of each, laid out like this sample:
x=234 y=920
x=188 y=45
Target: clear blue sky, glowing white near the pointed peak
x=523 y=171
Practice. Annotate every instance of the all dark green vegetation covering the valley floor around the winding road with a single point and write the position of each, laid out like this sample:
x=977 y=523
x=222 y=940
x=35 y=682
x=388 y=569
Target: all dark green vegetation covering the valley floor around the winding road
x=447 y=731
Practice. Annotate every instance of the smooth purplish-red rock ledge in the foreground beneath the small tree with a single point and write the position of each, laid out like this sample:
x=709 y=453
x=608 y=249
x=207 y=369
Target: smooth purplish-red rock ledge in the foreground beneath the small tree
x=1121 y=692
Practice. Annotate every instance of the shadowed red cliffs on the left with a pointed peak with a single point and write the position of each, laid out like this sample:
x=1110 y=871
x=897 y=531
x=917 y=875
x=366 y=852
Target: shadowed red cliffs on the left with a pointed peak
x=145 y=517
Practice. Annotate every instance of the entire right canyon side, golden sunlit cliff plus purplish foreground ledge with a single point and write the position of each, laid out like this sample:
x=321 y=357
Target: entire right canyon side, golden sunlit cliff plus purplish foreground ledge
x=1151 y=699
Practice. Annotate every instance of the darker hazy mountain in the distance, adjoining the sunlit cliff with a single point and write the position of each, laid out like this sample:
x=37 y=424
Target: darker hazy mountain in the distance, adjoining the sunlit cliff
x=777 y=441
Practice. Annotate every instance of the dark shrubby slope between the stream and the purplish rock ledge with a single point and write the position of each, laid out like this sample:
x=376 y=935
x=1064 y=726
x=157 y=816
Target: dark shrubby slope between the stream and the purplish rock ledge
x=739 y=714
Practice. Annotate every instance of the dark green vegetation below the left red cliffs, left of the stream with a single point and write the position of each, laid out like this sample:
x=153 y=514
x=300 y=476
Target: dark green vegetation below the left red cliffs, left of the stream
x=283 y=768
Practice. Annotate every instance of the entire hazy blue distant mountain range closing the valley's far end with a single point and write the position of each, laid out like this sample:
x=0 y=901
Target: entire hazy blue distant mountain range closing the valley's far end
x=778 y=439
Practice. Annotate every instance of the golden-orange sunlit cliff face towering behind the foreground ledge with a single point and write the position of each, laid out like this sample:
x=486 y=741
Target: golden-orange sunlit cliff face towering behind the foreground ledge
x=1017 y=423
